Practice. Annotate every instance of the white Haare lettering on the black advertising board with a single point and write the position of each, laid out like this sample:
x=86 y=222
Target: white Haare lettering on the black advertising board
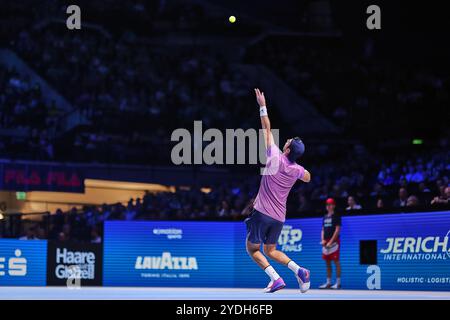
x=74 y=264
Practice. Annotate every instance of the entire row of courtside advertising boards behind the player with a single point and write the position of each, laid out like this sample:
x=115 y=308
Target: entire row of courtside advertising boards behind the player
x=390 y=252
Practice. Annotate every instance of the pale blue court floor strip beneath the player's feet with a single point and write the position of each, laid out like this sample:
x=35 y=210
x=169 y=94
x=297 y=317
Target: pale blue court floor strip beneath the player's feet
x=116 y=293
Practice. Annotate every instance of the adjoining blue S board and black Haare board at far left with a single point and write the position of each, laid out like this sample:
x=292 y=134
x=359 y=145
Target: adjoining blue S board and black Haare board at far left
x=42 y=262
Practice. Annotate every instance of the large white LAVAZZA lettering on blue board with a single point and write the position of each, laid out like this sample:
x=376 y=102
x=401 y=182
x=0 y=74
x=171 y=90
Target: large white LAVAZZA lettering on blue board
x=166 y=261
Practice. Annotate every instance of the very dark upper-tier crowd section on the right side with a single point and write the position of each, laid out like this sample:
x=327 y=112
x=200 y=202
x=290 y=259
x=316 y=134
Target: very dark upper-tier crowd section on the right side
x=373 y=89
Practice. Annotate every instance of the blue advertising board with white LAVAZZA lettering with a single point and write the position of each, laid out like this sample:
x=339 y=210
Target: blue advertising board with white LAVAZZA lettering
x=194 y=254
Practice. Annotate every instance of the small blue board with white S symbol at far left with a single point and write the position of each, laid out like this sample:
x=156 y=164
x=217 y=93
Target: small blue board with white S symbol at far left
x=23 y=263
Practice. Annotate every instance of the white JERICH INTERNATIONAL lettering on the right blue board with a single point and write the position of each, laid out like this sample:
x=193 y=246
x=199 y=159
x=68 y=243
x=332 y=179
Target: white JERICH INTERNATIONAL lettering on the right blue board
x=417 y=248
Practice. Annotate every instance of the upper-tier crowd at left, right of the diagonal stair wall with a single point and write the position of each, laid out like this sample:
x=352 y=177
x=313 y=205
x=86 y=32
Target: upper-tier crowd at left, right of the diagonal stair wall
x=131 y=93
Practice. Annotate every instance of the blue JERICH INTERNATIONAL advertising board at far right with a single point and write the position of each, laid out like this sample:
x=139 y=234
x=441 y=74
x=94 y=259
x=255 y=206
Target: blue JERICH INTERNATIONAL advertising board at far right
x=412 y=251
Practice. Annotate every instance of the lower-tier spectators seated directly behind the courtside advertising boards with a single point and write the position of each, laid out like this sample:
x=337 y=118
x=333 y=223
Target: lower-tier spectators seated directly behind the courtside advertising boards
x=394 y=186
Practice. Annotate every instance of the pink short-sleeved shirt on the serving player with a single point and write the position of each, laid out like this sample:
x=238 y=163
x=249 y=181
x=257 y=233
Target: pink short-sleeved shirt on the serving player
x=279 y=176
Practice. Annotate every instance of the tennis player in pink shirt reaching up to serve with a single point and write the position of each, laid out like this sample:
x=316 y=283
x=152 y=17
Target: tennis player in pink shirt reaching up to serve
x=266 y=220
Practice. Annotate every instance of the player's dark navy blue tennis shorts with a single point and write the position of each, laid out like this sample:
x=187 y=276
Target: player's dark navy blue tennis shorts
x=262 y=229
